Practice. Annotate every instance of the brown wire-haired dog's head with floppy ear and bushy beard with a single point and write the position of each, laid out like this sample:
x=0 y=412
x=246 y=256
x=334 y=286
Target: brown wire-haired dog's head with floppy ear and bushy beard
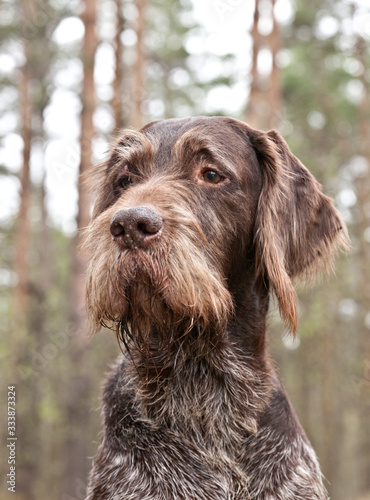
x=186 y=210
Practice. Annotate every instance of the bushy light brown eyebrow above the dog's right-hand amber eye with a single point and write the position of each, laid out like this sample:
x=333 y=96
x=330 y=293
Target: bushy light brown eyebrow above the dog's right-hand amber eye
x=195 y=142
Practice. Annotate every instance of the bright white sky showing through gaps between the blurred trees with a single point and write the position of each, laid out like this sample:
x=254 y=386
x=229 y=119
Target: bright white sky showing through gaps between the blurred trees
x=225 y=24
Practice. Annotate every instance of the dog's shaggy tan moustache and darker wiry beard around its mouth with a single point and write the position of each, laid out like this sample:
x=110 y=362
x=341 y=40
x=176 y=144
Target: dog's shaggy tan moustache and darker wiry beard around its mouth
x=155 y=296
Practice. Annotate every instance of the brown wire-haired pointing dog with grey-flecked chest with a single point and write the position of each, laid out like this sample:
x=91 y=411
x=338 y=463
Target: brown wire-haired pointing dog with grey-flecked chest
x=196 y=223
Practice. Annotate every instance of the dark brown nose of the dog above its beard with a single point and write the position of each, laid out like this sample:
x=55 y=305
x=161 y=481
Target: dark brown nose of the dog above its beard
x=132 y=227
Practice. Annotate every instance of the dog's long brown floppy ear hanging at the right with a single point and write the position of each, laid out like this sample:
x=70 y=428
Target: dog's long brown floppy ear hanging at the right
x=297 y=227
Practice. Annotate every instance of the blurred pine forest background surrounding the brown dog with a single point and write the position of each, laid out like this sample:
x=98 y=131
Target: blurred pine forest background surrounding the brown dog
x=72 y=73
